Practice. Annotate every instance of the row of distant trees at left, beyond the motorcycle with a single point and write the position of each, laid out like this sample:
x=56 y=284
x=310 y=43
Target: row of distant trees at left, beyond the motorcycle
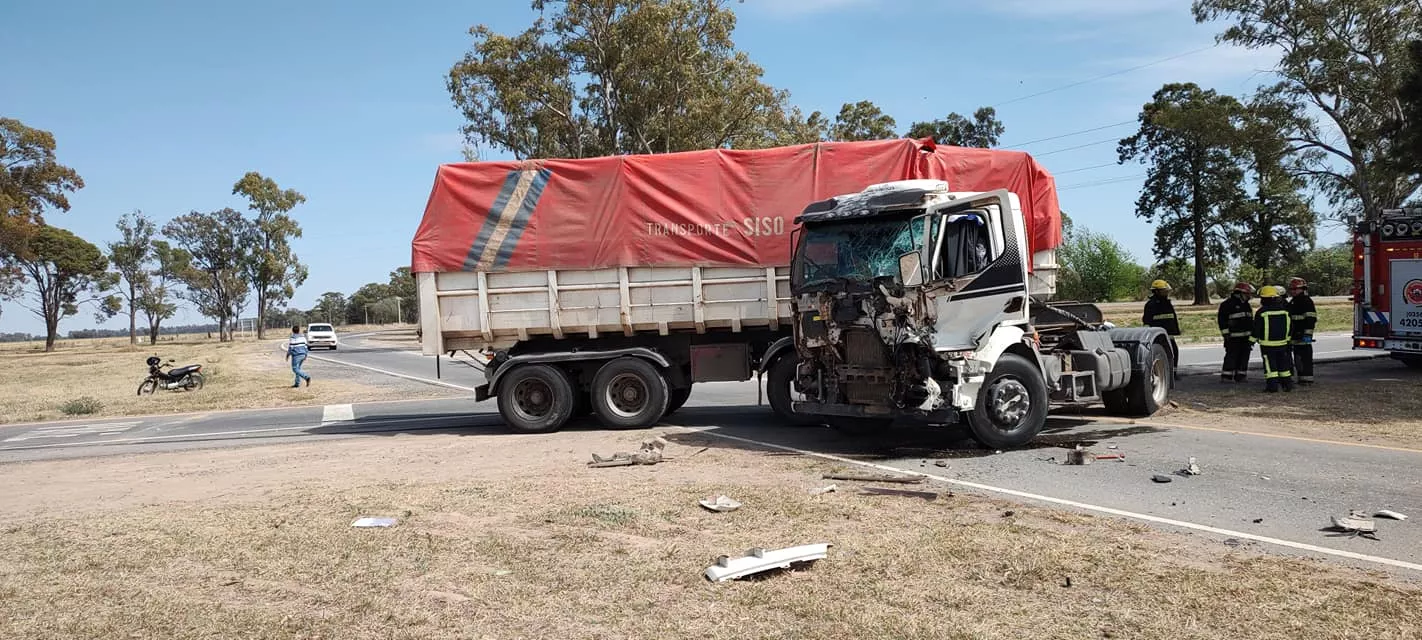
x=217 y=261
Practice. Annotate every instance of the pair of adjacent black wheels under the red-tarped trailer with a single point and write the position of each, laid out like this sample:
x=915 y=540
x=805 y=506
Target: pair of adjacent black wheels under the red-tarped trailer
x=626 y=393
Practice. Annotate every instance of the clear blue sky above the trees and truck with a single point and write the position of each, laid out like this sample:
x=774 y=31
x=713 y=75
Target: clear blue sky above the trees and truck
x=163 y=106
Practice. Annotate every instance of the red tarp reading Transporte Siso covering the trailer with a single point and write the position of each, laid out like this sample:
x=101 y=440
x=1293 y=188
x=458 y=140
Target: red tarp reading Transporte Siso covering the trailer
x=709 y=208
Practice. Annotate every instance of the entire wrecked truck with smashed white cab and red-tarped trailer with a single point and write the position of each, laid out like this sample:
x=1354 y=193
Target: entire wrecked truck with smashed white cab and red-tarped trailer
x=864 y=282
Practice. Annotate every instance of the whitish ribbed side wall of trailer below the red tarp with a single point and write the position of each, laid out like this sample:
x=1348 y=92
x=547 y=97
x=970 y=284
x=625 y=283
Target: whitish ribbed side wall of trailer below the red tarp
x=498 y=309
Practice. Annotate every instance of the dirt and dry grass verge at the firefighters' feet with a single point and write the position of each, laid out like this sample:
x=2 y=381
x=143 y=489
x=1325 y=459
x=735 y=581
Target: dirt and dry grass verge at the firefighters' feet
x=1373 y=402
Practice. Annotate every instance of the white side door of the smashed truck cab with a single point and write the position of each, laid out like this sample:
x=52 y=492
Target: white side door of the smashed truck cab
x=978 y=270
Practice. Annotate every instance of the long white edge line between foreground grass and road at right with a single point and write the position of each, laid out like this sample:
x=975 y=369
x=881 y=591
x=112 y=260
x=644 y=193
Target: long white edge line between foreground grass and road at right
x=1083 y=506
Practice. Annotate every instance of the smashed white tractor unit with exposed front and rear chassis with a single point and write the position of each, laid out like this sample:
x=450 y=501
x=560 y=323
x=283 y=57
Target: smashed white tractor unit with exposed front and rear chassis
x=914 y=302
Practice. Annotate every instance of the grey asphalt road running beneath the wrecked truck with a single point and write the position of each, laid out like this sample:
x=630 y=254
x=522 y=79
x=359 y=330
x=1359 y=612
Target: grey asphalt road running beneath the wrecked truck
x=1272 y=493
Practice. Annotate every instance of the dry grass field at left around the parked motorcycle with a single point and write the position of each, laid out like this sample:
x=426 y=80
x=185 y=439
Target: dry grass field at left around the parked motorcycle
x=242 y=375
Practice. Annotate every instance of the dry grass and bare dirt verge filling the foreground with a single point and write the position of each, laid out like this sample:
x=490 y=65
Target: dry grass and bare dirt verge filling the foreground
x=513 y=537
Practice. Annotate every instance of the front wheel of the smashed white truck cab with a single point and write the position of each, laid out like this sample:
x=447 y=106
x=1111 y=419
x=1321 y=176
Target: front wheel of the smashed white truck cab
x=1012 y=406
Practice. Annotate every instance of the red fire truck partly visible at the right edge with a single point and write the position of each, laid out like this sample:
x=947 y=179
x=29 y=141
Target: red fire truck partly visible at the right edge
x=1387 y=289
